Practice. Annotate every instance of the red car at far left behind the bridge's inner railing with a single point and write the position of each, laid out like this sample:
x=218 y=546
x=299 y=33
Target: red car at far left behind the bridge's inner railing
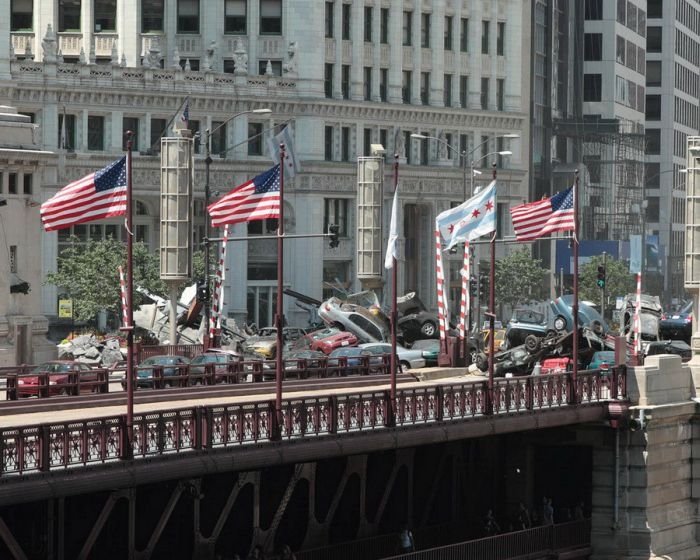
x=58 y=379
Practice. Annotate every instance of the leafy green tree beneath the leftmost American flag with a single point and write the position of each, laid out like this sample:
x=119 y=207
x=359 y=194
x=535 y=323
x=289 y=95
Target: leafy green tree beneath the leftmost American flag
x=89 y=273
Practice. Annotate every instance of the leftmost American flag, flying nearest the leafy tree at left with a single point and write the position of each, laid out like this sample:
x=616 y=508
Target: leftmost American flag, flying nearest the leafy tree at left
x=100 y=195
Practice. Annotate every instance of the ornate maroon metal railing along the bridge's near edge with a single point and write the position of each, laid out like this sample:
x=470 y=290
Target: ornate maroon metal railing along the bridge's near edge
x=62 y=445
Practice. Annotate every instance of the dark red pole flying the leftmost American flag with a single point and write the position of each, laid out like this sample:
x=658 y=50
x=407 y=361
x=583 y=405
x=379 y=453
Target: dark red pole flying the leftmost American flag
x=129 y=327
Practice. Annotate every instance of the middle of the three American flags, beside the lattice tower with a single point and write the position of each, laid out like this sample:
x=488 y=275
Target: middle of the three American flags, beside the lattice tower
x=256 y=199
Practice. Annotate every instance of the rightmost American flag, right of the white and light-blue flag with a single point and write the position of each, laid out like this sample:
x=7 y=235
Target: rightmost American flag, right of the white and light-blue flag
x=536 y=219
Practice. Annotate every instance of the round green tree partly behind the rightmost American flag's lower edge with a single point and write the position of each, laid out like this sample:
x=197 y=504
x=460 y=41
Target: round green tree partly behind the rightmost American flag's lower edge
x=519 y=278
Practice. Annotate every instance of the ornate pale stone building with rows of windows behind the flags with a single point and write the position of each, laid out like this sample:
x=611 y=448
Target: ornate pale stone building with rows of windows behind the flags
x=343 y=75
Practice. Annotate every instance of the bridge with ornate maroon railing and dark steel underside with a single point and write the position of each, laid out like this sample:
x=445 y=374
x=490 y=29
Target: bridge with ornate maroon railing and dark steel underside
x=211 y=470
